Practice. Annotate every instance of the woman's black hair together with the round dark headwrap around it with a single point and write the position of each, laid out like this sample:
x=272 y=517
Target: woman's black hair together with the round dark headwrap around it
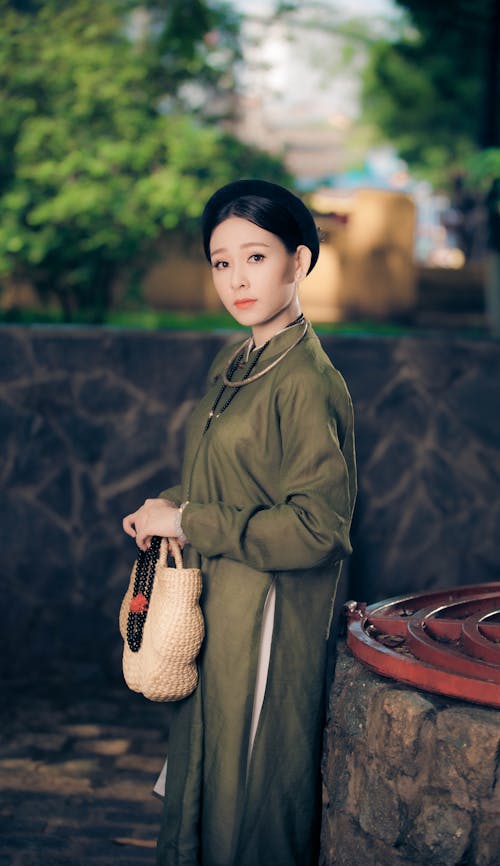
x=267 y=205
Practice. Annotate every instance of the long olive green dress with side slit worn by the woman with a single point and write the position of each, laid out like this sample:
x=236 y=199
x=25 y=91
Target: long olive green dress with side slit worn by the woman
x=271 y=487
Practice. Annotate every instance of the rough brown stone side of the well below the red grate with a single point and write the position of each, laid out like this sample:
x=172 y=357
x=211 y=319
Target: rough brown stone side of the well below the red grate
x=410 y=778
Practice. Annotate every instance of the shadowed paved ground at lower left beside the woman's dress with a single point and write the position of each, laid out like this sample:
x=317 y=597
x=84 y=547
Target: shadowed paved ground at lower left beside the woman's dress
x=77 y=763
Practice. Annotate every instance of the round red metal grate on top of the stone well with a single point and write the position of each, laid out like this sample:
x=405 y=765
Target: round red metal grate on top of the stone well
x=446 y=641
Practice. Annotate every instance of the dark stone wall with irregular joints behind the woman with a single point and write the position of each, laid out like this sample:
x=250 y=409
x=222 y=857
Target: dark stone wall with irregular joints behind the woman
x=92 y=423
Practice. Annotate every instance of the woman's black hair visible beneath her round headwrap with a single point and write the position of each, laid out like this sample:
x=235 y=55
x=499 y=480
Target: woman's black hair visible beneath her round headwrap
x=266 y=214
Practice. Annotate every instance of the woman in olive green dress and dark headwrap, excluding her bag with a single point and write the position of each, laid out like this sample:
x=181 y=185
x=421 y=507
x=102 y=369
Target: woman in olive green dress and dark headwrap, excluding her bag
x=265 y=502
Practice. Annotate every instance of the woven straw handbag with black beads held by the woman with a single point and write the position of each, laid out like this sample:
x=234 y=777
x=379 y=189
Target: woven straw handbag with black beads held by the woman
x=161 y=624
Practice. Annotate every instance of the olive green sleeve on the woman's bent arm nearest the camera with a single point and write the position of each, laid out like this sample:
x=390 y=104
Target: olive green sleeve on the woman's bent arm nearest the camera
x=309 y=522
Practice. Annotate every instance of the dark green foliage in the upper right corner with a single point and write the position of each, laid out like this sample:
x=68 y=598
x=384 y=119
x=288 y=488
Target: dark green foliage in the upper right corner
x=426 y=90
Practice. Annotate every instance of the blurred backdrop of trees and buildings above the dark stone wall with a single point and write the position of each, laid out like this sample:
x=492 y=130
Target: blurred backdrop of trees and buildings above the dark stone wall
x=119 y=119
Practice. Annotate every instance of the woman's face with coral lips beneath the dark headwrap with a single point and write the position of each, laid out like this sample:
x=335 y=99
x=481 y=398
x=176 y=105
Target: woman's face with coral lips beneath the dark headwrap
x=255 y=276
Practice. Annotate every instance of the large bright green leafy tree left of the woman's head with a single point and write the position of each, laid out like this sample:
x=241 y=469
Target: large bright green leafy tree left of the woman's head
x=93 y=167
